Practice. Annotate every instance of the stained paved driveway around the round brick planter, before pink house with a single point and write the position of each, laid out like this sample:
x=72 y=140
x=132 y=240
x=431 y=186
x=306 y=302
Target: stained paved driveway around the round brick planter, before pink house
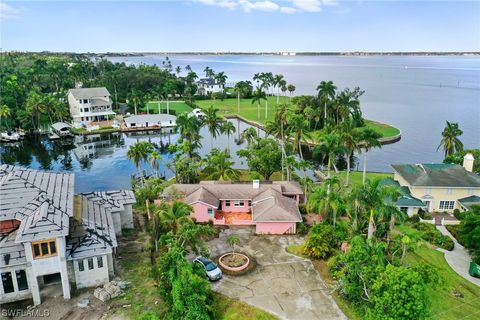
x=283 y=284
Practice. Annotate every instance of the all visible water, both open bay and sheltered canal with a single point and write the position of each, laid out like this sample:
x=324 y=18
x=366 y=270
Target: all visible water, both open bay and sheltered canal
x=415 y=94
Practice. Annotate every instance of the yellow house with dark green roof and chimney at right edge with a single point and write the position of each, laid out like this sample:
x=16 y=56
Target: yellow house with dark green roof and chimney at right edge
x=441 y=187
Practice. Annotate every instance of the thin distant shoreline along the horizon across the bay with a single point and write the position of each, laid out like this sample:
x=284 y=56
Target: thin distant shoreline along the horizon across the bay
x=286 y=53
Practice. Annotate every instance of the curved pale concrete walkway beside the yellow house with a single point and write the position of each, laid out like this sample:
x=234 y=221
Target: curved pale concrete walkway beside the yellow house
x=458 y=258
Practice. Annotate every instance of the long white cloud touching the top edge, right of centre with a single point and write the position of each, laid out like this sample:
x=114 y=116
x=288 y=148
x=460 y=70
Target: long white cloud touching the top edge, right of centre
x=291 y=6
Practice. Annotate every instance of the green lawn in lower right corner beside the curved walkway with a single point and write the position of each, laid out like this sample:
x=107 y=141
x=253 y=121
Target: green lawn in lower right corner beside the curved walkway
x=446 y=301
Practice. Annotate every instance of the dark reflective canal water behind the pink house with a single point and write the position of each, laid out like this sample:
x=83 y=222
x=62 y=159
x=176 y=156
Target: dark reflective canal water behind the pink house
x=100 y=161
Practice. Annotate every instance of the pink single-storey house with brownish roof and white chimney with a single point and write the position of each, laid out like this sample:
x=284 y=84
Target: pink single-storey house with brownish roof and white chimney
x=272 y=208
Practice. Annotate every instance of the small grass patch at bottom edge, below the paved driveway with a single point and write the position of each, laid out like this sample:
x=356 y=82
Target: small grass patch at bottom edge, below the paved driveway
x=232 y=309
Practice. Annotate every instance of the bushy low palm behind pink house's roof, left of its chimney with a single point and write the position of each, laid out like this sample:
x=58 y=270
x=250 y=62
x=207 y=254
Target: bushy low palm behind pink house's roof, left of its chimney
x=218 y=166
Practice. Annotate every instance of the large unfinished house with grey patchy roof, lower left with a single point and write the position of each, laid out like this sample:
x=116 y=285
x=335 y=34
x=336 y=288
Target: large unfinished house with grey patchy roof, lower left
x=50 y=235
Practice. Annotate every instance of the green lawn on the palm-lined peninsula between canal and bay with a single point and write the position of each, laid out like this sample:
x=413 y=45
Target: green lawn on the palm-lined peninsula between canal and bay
x=250 y=112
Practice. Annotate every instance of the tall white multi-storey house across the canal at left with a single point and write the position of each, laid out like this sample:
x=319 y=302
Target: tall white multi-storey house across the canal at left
x=89 y=104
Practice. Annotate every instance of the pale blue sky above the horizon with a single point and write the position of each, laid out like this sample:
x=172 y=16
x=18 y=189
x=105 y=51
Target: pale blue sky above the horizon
x=239 y=26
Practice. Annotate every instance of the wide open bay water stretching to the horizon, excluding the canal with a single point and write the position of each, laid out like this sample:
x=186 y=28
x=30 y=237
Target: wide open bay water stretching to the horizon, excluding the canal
x=416 y=94
